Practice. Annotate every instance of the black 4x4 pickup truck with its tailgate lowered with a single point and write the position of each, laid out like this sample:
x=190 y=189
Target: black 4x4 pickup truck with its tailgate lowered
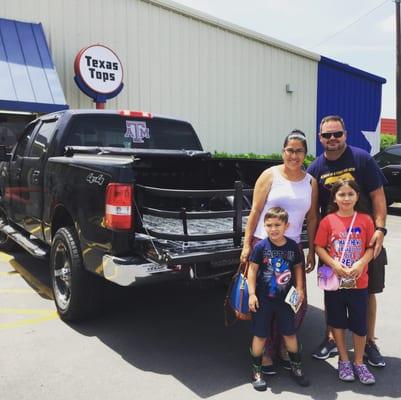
x=121 y=195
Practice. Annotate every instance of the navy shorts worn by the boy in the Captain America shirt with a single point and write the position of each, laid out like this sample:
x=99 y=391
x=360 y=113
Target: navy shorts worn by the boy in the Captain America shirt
x=262 y=319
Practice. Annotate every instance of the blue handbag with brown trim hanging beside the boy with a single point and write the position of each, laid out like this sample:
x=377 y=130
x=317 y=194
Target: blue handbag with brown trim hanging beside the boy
x=236 y=302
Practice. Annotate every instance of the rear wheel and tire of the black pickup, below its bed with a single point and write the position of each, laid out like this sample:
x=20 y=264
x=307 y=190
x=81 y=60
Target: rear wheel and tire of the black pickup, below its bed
x=77 y=292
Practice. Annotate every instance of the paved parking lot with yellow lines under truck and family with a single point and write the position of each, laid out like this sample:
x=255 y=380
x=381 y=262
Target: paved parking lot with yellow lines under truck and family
x=166 y=342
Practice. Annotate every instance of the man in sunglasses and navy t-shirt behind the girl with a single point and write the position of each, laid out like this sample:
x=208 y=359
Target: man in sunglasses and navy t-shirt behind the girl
x=340 y=161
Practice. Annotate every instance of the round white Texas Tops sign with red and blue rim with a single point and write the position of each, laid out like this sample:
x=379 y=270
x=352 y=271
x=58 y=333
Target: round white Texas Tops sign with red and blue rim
x=98 y=73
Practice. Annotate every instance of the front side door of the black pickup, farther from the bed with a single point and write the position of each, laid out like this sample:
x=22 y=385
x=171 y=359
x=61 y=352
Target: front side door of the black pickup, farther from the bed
x=14 y=195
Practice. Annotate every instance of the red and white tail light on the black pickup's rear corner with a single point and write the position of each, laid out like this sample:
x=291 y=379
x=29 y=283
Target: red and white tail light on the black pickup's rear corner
x=118 y=206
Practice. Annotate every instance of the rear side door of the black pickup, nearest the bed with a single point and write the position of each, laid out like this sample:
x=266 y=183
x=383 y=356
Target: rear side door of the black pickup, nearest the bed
x=32 y=177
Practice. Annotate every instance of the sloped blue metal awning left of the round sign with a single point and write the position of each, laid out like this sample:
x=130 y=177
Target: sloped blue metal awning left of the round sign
x=28 y=78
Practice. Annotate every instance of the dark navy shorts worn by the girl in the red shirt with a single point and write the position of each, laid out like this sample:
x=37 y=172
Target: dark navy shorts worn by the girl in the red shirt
x=346 y=309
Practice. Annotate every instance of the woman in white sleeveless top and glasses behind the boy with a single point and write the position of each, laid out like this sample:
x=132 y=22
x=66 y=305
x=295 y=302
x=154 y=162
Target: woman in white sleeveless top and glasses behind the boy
x=290 y=187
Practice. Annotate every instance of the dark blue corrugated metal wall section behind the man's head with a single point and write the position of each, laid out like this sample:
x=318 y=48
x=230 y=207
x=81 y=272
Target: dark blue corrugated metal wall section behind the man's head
x=354 y=95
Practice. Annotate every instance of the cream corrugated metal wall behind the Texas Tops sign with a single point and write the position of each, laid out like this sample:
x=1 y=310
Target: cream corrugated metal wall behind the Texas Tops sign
x=230 y=86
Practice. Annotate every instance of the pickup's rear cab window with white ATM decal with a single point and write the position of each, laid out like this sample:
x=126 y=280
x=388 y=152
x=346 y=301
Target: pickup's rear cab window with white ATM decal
x=132 y=133
